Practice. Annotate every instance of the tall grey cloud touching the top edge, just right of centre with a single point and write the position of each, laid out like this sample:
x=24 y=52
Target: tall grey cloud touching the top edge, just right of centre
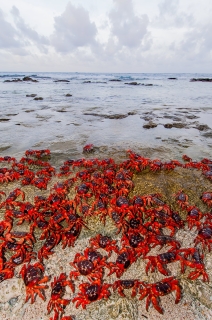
x=128 y=28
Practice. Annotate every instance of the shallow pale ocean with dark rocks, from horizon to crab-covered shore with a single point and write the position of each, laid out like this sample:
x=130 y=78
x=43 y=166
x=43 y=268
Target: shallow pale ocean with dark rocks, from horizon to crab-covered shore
x=157 y=117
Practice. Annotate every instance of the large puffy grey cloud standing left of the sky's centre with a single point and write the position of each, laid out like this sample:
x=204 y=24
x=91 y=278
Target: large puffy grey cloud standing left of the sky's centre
x=73 y=29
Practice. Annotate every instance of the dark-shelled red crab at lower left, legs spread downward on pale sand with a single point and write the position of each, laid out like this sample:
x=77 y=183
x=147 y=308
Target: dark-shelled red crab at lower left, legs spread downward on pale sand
x=34 y=281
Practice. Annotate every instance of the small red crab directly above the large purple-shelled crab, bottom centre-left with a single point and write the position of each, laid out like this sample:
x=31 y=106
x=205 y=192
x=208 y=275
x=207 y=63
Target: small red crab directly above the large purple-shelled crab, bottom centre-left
x=104 y=242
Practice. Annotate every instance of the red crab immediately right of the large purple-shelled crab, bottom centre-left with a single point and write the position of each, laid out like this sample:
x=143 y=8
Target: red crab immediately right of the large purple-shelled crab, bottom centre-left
x=124 y=259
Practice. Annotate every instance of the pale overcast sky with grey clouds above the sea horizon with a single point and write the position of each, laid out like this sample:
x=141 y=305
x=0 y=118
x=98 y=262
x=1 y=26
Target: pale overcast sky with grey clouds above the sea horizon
x=106 y=35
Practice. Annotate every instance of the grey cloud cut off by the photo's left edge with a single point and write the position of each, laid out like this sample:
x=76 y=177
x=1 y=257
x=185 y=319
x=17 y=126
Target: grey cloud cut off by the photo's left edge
x=8 y=34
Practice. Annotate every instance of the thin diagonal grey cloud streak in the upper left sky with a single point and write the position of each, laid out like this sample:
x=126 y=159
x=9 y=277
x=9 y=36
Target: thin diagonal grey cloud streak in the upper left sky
x=27 y=33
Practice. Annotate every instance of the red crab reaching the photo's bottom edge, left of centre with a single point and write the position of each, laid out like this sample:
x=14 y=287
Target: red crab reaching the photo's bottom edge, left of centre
x=57 y=303
